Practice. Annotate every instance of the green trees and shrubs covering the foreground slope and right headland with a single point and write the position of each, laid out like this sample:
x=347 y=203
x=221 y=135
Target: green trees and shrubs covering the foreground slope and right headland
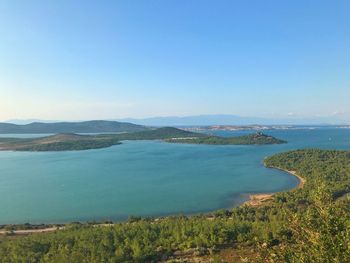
x=311 y=224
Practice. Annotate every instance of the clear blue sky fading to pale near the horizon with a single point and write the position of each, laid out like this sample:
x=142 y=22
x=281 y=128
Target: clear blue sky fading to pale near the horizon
x=80 y=60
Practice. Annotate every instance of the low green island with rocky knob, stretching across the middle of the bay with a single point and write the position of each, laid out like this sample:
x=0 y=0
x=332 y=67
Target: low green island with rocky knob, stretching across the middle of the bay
x=76 y=142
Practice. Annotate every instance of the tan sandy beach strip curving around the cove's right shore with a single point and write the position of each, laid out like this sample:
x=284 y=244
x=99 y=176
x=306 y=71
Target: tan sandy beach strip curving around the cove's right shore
x=259 y=199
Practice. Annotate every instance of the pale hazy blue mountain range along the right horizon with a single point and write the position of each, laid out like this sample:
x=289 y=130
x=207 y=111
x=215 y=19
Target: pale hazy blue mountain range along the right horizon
x=220 y=119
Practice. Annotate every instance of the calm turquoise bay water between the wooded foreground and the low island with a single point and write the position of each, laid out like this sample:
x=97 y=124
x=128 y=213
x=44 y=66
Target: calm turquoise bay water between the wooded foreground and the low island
x=146 y=178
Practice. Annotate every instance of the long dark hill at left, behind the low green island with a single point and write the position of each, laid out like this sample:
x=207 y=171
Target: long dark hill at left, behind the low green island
x=71 y=127
